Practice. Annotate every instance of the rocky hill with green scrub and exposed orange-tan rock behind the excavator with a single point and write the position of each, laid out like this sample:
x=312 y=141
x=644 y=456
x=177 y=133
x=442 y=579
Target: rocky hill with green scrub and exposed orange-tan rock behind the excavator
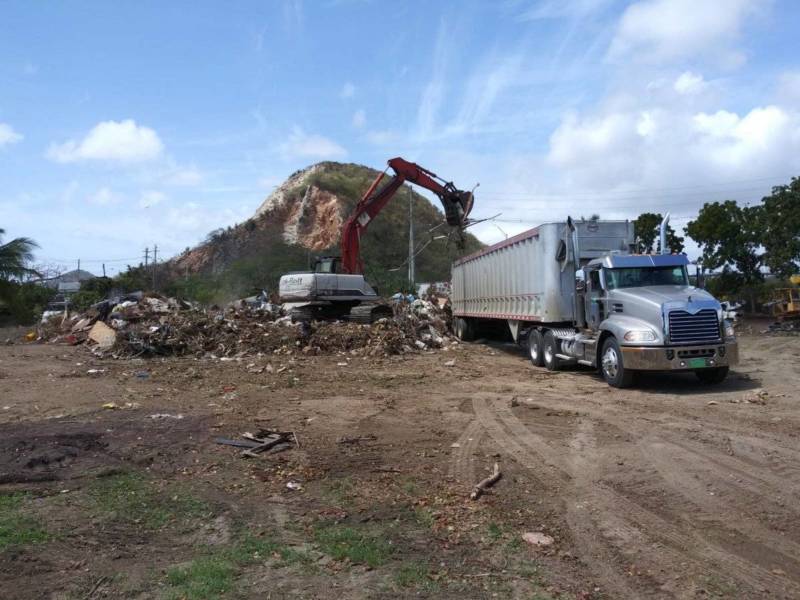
x=302 y=218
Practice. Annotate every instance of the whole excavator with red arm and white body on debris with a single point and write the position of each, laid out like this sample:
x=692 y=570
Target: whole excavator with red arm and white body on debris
x=337 y=289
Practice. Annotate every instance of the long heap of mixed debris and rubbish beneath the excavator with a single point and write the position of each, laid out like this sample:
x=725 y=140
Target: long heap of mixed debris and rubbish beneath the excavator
x=139 y=325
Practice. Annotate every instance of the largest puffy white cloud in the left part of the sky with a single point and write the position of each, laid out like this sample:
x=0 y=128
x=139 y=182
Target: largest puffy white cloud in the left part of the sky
x=112 y=141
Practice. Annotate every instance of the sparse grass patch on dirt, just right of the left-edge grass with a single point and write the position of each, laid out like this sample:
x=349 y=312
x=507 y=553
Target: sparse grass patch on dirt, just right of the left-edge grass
x=131 y=497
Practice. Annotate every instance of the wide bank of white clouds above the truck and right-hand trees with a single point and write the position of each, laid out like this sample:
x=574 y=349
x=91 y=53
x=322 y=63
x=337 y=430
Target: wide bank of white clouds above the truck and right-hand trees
x=655 y=146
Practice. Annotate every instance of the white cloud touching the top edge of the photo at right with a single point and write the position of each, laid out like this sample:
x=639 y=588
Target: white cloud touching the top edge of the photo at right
x=669 y=30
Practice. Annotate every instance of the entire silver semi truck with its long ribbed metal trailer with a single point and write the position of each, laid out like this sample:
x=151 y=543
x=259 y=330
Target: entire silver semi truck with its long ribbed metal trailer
x=574 y=292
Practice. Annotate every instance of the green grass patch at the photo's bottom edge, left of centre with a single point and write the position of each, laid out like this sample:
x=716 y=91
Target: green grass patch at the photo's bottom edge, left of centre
x=206 y=577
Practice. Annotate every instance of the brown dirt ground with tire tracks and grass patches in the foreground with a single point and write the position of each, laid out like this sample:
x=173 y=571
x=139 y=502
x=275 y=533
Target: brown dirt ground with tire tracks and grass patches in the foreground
x=668 y=490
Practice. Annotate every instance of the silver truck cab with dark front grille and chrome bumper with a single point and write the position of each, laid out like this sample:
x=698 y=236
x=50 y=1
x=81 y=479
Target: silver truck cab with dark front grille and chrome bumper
x=644 y=315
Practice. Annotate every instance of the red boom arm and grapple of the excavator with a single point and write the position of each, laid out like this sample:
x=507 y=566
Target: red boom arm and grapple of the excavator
x=457 y=205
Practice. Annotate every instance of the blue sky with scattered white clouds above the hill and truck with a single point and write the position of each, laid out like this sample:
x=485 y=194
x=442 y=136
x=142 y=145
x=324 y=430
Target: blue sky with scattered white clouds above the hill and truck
x=129 y=125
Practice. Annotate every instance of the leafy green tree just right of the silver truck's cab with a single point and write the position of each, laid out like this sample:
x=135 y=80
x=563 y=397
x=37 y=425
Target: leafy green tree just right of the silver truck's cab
x=730 y=236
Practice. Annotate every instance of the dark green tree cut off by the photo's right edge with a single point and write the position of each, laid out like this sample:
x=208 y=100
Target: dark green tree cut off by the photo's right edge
x=780 y=222
